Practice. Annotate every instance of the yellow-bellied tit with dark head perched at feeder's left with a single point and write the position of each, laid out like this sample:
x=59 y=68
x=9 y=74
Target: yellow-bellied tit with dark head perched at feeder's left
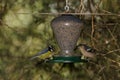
x=44 y=54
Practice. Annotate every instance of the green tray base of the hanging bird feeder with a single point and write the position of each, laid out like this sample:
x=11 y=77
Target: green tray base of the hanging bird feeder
x=64 y=59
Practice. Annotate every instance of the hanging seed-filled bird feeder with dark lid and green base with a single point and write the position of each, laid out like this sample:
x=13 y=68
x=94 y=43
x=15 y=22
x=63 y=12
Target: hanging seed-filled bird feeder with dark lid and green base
x=66 y=29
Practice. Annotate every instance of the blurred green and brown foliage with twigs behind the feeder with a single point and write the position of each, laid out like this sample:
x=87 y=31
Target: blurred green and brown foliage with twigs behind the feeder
x=24 y=32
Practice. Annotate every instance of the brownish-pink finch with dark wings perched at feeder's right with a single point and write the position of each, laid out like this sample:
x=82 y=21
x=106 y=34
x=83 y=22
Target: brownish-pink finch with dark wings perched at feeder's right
x=86 y=51
